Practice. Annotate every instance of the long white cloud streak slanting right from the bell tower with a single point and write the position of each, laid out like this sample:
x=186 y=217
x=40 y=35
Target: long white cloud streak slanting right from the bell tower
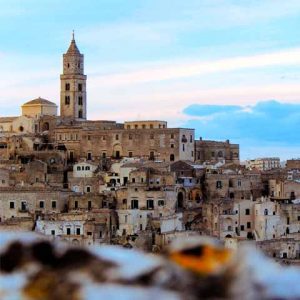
x=192 y=69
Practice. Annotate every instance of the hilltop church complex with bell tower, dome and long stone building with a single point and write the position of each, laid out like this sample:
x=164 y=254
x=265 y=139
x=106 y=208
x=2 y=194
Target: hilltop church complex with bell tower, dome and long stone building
x=81 y=138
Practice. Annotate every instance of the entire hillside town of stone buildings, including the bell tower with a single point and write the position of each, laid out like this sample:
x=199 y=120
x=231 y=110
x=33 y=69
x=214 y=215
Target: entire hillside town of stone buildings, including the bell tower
x=139 y=184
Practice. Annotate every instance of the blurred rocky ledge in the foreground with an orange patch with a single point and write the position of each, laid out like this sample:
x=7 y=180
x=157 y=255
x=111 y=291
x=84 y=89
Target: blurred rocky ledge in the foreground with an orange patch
x=33 y=267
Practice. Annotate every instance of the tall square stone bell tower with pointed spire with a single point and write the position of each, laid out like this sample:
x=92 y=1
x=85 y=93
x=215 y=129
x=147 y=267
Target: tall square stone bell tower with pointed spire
x=73 y=85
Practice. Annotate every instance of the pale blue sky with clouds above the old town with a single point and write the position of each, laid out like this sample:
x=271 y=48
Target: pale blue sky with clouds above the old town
x=228 y=68
